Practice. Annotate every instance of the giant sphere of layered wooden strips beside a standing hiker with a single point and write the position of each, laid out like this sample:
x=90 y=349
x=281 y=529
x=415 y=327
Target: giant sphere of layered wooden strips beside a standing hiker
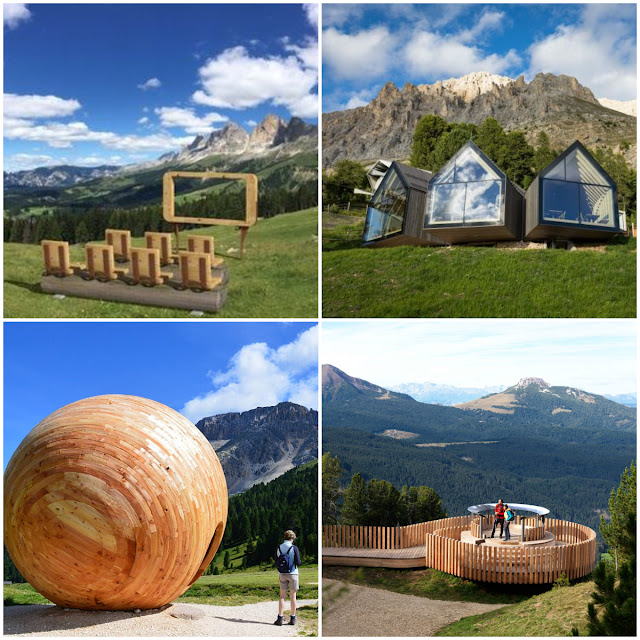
x=114 y=502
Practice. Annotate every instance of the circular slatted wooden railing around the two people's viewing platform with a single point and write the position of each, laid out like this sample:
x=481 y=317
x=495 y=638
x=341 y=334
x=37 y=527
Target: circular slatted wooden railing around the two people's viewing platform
x=573 y=556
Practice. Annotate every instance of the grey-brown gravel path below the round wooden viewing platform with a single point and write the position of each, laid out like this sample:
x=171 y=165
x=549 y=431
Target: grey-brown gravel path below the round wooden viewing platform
x=352 y=610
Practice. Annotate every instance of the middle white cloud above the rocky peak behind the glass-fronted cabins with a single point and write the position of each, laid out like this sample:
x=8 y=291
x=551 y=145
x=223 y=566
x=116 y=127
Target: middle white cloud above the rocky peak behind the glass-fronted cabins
x=429 y=54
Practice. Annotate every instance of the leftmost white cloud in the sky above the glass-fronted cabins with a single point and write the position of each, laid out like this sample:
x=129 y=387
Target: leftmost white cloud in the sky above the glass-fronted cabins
x=362 y=55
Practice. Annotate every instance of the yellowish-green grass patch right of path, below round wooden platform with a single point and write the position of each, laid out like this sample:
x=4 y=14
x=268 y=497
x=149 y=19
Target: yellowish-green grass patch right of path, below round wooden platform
x=550 y=614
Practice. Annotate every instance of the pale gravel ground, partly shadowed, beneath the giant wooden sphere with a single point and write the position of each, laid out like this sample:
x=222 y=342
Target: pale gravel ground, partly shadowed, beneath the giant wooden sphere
x=246 y=620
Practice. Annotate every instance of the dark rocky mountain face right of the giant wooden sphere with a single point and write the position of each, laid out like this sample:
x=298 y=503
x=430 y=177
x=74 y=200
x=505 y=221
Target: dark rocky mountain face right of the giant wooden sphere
x=261 y=444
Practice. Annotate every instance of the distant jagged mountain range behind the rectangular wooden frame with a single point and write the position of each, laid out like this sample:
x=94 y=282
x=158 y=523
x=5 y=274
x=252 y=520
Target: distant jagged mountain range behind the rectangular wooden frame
x=271 y=137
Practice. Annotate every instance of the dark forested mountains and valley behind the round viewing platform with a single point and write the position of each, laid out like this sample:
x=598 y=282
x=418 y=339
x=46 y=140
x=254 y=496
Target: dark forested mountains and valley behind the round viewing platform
x=554 y=446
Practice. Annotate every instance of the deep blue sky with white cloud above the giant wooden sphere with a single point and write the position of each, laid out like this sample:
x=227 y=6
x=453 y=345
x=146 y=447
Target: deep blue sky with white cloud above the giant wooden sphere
x=199 y=369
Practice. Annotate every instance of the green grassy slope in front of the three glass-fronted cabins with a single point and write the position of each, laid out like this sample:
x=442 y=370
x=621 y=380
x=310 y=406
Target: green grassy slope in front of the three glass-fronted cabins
x=474 y=281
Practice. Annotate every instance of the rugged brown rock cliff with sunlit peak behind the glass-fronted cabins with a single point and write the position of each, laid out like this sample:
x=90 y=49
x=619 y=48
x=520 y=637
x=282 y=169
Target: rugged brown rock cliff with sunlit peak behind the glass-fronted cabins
x=558 y=105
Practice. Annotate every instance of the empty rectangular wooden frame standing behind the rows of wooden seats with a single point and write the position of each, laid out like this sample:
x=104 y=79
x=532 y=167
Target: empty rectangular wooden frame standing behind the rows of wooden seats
x=251 y=192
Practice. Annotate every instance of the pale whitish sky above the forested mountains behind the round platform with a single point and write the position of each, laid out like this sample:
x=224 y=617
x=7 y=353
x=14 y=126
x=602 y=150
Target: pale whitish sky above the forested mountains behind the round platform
x=594 y=355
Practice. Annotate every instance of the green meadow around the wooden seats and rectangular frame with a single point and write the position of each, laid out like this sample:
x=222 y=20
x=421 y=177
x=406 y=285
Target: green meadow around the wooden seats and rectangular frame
x=276 y=278
